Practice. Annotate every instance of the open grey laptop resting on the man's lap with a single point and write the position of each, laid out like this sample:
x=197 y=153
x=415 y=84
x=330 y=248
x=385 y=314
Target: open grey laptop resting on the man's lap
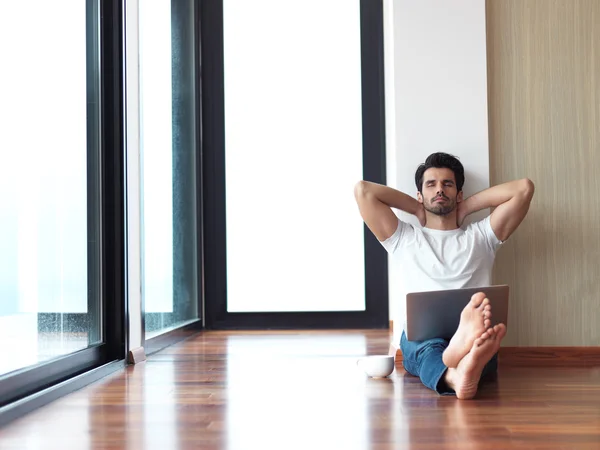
x=436 y=314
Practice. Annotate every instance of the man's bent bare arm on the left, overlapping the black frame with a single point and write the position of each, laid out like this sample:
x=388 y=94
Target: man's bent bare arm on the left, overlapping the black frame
x=375 y=202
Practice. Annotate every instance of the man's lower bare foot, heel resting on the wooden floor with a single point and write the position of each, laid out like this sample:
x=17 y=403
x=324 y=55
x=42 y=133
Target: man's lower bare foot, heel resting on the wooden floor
x=465 y=378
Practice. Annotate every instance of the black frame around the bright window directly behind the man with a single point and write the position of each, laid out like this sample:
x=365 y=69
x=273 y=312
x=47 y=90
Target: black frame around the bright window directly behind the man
x=376 y=313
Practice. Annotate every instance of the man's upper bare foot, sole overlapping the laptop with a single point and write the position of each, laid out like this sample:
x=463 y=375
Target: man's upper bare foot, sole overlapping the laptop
x=474 y=320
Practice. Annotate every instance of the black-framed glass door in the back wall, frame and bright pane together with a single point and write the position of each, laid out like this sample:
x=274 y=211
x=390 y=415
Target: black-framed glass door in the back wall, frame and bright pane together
x=293 y=118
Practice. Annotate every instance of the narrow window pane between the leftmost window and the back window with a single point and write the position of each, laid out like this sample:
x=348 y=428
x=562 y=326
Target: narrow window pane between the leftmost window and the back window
x=168 y=164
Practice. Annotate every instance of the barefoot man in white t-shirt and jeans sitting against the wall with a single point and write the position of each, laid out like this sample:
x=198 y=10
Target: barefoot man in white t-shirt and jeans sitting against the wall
x=442 y=255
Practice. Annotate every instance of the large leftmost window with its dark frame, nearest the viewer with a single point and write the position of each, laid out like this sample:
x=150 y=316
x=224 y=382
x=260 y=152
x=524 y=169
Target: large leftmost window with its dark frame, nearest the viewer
x=60 y=133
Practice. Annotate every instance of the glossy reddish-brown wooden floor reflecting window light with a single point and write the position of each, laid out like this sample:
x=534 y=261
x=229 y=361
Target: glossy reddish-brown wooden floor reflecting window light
x=302 y=390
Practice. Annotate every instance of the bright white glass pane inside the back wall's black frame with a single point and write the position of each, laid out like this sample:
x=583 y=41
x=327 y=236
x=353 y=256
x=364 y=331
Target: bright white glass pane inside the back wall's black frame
x=293 y=150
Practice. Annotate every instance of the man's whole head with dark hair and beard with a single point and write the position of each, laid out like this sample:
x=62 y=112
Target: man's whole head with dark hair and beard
x=439 y=183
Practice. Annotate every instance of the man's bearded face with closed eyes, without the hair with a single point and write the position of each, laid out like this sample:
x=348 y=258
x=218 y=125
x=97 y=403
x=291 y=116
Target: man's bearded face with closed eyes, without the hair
x=439 y=194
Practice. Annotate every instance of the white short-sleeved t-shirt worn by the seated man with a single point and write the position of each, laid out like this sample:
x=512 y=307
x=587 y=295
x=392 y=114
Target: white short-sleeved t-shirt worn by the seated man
x=432 y=260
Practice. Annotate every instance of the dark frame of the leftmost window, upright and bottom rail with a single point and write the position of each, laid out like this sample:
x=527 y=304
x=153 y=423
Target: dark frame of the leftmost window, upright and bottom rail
x=28 y=388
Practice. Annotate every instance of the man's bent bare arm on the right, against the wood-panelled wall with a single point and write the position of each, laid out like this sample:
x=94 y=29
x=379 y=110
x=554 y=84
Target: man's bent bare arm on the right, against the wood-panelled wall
x=511 y=201
